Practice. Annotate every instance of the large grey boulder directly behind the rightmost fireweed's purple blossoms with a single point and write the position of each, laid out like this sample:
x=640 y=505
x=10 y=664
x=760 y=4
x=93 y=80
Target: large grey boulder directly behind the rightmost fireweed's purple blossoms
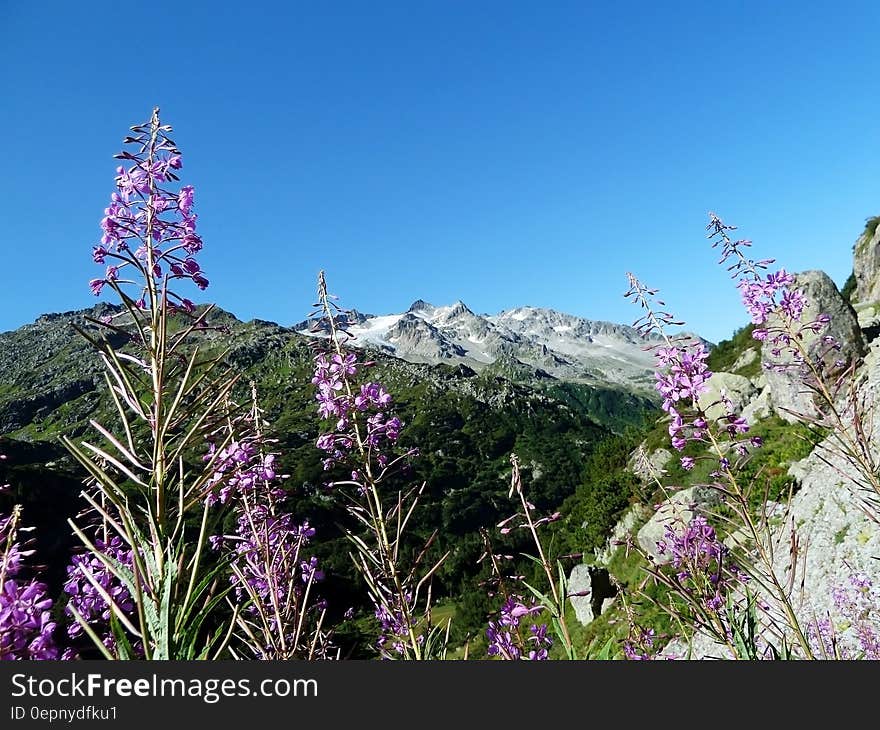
x=787 y=392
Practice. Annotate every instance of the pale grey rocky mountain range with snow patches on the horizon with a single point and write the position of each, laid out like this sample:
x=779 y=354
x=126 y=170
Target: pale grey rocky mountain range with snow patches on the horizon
x=543 y=341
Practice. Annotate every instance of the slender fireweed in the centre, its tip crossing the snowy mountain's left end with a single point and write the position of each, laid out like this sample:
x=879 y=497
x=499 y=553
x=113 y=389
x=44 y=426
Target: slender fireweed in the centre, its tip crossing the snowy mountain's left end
x=362 y=443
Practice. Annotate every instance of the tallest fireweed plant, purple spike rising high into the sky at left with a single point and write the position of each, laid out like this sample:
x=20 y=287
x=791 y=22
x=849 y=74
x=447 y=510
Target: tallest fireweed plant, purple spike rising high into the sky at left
x=146 y=585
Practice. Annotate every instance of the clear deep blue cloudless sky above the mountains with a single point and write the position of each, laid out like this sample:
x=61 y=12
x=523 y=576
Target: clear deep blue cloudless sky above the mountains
x=501 y=153
